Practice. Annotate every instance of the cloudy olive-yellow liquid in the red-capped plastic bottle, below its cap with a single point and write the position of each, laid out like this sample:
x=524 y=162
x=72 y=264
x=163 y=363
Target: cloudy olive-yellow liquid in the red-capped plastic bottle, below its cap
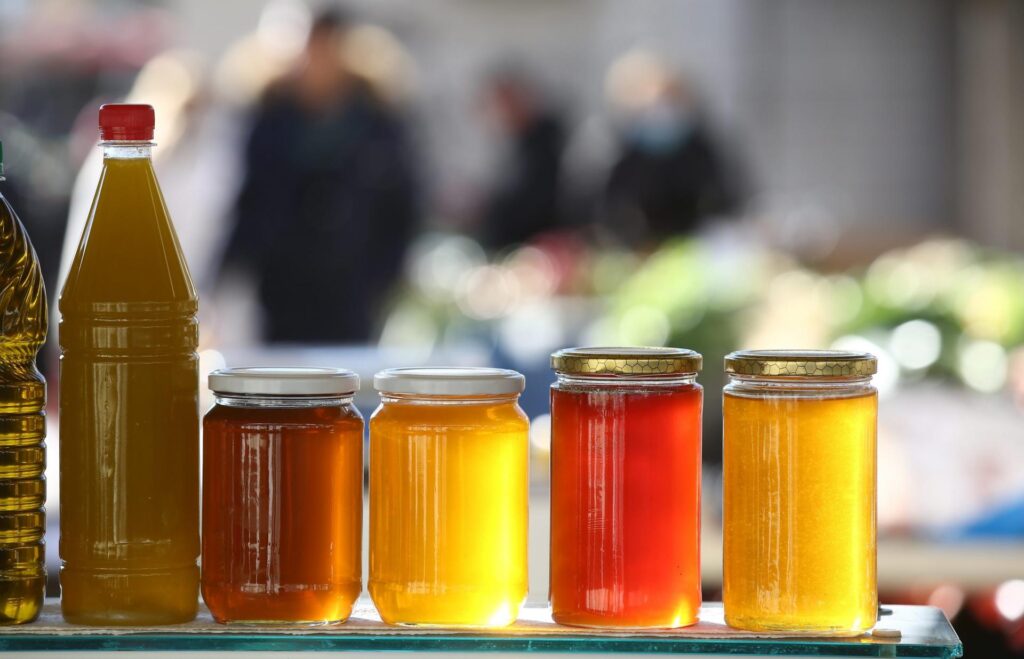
x=130 y=417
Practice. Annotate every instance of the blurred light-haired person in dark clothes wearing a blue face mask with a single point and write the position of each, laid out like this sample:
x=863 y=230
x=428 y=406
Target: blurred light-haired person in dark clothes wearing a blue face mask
x=669 y=177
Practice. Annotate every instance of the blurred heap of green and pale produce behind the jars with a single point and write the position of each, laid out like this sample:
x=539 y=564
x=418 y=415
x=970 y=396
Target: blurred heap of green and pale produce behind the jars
x=944 y=309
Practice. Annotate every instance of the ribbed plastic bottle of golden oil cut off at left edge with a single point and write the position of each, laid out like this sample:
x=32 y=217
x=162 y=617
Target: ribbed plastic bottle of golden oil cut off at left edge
x=23 y=423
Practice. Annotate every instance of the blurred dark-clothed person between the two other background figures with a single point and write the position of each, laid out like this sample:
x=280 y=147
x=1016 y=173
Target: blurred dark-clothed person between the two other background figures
x=525 y=201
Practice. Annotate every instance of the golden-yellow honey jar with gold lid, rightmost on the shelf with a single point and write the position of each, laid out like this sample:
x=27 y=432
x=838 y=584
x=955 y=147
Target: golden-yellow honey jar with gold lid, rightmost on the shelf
x=800 y=492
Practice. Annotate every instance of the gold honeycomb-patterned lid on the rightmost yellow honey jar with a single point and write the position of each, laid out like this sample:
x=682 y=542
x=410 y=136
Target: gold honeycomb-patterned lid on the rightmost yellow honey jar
x=806 y=364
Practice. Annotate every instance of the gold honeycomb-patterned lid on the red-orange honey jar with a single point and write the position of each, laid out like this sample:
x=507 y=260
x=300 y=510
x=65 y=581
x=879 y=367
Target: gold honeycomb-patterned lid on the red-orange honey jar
x=626 y=362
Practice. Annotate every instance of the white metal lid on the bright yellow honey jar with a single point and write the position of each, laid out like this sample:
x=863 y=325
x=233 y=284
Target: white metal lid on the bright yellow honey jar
x=450 y=381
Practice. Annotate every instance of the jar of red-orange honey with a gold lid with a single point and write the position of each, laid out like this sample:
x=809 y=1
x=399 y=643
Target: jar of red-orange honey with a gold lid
x=626 y=488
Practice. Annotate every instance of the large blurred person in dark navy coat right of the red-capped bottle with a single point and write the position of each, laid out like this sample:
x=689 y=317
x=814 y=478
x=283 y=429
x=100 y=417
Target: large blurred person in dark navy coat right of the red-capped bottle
x=328 y=202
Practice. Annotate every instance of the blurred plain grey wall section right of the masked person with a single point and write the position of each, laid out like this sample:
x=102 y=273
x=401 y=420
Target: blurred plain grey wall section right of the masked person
x=851 y=107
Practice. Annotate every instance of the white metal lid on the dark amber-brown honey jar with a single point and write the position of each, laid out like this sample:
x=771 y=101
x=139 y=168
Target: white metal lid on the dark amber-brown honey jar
x=275 y=381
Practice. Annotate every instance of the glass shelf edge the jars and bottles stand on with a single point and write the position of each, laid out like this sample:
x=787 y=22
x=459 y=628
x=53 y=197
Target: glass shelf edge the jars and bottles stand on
x=924 y=632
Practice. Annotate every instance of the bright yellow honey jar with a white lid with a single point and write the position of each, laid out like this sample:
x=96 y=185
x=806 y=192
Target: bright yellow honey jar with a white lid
x=449 y=478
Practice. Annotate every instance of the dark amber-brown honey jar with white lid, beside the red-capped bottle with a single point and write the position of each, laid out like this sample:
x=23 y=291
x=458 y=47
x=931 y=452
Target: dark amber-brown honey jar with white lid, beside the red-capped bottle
x=282 y=497
